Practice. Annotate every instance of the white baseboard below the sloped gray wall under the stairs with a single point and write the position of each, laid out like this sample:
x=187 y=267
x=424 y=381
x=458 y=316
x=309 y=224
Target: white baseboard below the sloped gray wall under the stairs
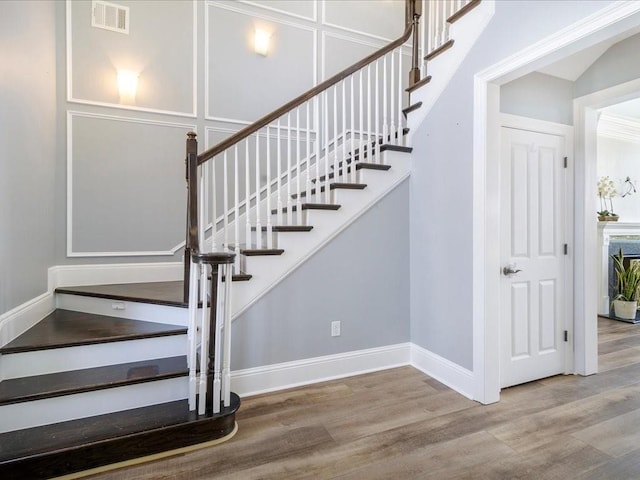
x=254 y=381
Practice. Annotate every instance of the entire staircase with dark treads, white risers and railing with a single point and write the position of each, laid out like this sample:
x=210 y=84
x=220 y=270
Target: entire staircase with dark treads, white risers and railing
x=119 y=372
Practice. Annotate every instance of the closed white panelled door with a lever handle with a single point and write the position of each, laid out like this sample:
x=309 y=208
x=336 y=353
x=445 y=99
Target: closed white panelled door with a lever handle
x=532 y=310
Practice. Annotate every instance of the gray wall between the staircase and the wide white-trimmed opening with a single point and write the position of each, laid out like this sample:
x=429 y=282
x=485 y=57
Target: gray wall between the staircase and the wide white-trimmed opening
x=441 y=181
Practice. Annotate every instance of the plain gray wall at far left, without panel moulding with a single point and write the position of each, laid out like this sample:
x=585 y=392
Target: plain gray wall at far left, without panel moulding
x=27 y=149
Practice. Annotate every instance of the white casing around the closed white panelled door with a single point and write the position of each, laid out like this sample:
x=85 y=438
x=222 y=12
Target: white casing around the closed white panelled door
x=565 y=131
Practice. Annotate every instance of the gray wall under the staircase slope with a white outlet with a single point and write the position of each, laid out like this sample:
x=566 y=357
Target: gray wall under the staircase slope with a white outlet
x=360 y=278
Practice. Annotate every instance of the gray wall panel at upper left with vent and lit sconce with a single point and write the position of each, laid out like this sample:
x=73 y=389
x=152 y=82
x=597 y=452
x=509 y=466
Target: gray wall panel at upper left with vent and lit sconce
x=165 y=63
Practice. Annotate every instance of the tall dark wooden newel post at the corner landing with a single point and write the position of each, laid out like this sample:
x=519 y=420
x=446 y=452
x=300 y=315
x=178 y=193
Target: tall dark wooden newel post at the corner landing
x=191 y=241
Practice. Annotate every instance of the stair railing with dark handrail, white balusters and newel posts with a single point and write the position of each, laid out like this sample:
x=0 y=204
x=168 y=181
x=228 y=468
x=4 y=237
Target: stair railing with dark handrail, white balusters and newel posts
x=262 y=177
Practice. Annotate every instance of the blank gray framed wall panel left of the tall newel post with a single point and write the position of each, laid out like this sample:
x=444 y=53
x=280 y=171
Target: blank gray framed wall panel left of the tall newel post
x=110 y=159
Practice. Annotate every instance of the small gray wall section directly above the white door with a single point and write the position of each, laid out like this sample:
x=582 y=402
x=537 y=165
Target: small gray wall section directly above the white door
x=539 y=96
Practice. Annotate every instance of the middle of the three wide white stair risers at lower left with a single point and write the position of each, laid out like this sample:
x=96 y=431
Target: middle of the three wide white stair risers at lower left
x=55 y=360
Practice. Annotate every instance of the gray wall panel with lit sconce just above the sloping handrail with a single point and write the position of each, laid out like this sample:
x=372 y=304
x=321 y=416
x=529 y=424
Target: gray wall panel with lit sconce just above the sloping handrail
x=243 y=85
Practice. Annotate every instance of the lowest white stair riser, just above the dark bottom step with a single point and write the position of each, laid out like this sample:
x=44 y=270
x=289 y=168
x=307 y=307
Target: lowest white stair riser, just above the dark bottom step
x=70 y=407
